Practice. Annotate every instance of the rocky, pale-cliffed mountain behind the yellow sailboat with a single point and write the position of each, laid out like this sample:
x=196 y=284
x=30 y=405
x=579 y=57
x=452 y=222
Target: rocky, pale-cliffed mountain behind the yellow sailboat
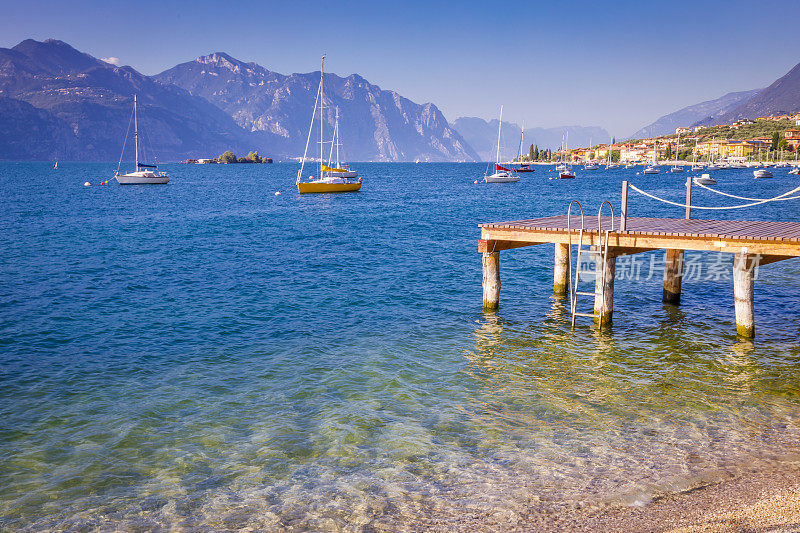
x=374 y=124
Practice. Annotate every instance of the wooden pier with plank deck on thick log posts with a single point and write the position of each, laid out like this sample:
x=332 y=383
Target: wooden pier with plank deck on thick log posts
x=753 y=243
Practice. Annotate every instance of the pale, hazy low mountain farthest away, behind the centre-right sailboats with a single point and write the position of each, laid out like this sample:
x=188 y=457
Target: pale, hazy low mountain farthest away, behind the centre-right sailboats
x=482 y=136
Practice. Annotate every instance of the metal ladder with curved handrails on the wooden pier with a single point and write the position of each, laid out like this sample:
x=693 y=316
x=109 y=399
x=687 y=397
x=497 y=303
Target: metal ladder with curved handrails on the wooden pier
x=598 y=251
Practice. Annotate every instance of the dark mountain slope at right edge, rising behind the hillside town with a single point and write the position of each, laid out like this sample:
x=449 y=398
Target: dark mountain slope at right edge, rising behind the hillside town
x=782 y=97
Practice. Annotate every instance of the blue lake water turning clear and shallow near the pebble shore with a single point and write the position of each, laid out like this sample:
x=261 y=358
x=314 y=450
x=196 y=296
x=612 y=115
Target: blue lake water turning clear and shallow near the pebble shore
x=209 y=355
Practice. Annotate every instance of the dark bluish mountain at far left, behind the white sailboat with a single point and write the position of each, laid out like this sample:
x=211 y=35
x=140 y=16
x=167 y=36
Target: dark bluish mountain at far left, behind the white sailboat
x=60 y=103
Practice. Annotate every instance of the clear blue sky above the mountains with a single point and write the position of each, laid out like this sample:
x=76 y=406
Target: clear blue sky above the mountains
x=618 y=64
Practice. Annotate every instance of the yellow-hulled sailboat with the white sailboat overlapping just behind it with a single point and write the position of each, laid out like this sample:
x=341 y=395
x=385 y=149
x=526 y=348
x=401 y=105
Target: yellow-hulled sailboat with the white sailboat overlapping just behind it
x=337 y=178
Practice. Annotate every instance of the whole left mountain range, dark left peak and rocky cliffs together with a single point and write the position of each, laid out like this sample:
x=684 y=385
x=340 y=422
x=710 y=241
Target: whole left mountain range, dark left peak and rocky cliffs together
x=59 y=103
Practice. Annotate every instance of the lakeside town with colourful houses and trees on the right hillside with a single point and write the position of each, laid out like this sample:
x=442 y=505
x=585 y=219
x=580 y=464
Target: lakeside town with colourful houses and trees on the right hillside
x=771 y=139
